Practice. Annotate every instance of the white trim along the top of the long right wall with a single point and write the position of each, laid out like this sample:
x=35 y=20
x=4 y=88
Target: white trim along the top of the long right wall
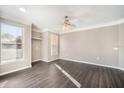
x=95 y=26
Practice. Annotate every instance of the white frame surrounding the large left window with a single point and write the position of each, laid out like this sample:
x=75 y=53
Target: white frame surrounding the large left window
x=12 y=23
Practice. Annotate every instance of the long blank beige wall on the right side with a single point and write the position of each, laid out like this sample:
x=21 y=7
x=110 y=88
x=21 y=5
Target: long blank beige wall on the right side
x=94 y=46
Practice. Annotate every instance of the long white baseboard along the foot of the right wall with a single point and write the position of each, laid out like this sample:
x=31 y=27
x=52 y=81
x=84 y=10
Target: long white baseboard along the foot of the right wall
x=91 y=63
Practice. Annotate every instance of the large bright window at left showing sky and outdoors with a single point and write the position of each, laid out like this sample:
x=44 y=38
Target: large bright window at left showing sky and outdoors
x=11 y=43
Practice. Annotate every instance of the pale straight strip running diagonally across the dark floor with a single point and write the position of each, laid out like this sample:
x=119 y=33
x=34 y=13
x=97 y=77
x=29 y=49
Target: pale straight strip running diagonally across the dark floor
x=68 y=76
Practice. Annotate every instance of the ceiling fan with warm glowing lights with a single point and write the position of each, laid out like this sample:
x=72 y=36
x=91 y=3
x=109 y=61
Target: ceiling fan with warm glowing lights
x=67 y=23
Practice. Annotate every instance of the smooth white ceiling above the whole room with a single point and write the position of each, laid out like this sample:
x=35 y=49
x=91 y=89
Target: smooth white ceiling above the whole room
x=52 y=17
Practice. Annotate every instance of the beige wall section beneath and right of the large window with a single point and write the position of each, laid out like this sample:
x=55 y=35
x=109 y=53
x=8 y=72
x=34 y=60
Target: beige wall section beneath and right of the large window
x=10 y=67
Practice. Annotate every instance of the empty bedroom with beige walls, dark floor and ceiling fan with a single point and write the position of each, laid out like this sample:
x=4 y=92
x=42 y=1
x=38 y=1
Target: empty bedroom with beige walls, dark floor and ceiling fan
x=61 y=46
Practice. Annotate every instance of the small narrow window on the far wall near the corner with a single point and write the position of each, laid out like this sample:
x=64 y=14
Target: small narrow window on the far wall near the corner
x=54 y=44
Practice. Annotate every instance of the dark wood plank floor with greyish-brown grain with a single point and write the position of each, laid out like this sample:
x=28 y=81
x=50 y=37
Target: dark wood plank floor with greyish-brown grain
x=47 y=75
